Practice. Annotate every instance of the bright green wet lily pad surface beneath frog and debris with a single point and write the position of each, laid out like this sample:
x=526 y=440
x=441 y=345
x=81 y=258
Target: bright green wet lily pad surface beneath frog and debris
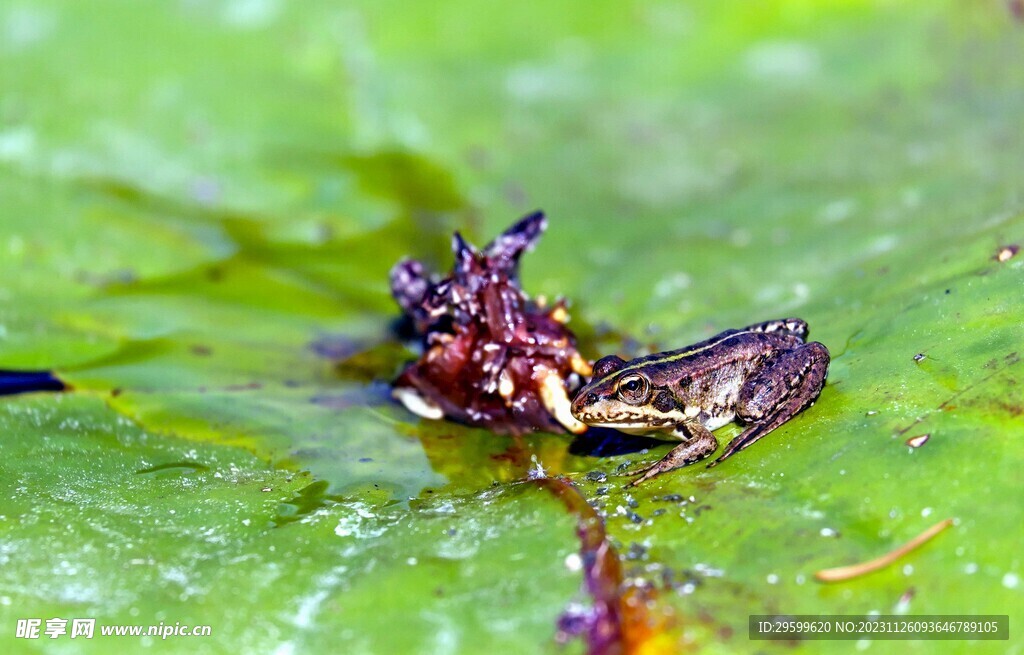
x=200 y=202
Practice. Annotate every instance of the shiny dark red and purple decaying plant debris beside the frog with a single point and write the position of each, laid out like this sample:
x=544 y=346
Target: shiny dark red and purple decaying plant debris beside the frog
x=492 y=357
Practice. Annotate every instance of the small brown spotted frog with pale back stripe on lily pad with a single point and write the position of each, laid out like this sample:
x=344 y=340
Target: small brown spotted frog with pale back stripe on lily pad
x=762 y=376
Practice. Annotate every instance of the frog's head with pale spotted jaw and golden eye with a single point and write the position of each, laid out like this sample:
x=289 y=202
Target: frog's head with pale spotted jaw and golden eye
x=621 y=396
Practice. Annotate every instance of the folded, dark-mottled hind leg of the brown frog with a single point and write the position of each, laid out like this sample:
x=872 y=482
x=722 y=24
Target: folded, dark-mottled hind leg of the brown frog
x=779 y=392
